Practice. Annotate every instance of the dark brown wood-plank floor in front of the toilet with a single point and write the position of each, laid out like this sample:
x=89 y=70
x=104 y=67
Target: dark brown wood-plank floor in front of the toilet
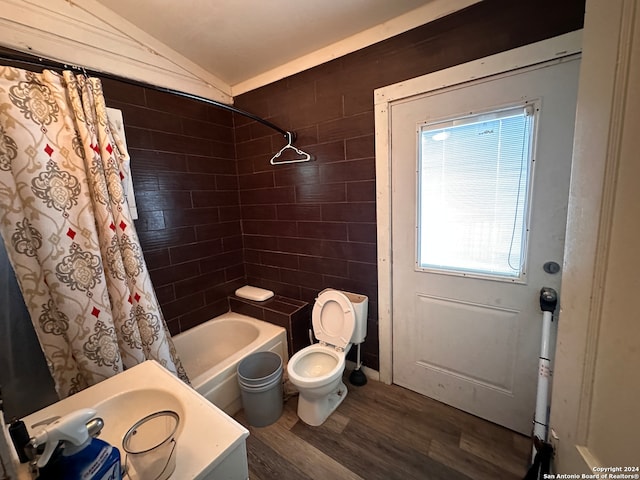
x=385 y=432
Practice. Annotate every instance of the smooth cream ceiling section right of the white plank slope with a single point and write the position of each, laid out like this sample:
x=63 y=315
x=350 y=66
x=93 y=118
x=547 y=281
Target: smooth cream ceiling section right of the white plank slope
x=240 y=40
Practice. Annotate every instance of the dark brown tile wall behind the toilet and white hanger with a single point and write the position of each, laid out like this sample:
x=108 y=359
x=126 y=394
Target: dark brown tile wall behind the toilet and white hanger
x=310 y=226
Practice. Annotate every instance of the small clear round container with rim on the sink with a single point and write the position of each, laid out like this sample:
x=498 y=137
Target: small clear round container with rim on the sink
x=150 y=446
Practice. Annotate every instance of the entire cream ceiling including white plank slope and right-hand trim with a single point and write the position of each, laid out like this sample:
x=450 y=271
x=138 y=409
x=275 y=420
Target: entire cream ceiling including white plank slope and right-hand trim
x=216 y=49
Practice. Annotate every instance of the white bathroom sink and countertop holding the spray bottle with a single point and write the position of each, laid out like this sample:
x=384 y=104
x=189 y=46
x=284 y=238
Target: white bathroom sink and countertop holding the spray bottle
x=210 y=444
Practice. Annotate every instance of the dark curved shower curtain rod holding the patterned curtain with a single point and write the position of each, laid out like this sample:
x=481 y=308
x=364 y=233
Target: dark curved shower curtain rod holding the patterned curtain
x=45 y=62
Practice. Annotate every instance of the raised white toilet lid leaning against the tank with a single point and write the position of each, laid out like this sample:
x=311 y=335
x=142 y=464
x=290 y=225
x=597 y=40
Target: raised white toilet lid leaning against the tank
x=333 y=318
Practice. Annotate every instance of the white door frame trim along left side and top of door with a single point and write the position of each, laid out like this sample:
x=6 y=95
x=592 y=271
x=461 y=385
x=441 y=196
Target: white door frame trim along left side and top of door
x=540 y=52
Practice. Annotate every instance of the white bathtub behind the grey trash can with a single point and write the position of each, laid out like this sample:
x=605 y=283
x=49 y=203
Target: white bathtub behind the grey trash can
x=211 y=352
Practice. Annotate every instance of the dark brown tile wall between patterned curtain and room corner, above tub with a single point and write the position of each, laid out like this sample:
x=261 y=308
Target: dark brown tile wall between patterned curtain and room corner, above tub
x=186 y=187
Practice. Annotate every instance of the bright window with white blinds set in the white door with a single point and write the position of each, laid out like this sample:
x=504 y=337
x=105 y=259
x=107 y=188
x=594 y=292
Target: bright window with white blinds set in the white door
x=474 y=179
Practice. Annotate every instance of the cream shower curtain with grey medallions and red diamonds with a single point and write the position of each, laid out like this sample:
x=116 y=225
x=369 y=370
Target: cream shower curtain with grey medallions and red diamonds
x=69 y=234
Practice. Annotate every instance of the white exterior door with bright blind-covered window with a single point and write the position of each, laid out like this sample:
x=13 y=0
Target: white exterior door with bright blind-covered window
x=480 y=177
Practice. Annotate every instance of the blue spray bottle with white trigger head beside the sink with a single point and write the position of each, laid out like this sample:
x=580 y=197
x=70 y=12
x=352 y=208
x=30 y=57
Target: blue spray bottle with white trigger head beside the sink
x=82 y=457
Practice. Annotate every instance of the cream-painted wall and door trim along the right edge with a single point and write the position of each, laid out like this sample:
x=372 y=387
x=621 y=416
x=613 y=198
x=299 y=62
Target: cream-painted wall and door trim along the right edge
x=596 y=382
